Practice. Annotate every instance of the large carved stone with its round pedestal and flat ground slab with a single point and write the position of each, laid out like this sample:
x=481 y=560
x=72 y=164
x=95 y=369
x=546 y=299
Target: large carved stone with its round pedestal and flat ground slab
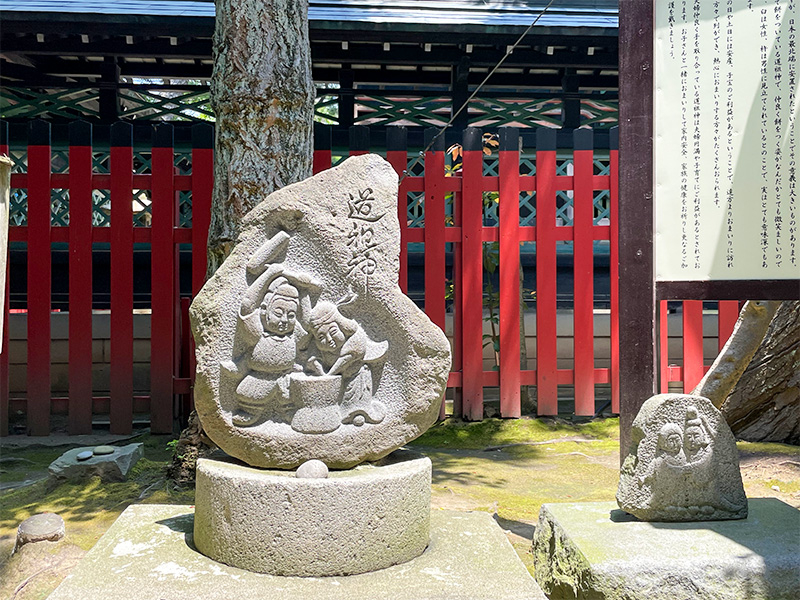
x=313 y=369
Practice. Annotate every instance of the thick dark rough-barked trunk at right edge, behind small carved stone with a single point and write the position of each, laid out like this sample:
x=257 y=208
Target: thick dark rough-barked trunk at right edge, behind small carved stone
x=765 y=404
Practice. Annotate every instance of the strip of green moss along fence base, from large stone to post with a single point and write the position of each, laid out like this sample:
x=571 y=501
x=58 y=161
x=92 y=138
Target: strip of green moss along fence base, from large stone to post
x=454 y=433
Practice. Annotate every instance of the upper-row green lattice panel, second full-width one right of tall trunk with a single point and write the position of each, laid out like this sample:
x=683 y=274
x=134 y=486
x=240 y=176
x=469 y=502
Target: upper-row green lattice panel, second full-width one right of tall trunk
x=494 y=112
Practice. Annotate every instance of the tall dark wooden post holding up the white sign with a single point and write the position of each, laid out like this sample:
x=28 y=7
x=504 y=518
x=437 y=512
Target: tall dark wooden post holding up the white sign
x=636 y=290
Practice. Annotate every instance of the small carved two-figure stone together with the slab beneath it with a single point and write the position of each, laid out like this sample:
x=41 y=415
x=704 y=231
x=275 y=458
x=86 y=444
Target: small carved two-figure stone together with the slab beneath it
x=686 y=529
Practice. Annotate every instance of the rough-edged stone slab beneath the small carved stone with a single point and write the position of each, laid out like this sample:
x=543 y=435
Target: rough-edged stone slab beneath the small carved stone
x=594 y=551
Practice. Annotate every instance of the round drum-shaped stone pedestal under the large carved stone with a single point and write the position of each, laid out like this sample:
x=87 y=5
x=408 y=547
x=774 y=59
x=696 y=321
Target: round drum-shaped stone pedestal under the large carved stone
x=355 y=521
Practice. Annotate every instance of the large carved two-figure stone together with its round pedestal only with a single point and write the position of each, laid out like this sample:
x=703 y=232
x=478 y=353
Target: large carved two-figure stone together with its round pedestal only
x=308 y=353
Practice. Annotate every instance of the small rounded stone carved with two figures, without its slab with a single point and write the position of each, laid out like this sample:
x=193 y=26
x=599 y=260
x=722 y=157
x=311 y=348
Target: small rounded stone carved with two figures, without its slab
x=683 y=464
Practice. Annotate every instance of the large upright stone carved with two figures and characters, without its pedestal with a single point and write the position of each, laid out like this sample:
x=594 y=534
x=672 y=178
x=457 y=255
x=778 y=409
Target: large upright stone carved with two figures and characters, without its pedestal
x=306 y=347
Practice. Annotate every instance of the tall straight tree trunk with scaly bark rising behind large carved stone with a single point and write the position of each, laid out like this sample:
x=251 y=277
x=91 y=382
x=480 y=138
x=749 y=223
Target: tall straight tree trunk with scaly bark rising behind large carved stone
x=263 y=93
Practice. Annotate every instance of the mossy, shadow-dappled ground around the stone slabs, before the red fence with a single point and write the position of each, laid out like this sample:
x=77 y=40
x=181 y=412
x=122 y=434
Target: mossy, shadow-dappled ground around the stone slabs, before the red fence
x=506 y=467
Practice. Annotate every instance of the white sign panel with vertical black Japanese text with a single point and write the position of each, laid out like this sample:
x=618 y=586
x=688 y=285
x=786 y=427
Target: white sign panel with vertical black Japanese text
x=726 y=143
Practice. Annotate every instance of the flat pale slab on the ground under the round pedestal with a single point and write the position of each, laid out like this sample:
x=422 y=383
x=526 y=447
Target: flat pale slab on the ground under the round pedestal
x=148 y=554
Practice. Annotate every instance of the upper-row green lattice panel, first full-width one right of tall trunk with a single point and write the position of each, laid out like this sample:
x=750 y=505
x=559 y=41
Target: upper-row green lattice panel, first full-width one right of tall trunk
x=385 y=110
